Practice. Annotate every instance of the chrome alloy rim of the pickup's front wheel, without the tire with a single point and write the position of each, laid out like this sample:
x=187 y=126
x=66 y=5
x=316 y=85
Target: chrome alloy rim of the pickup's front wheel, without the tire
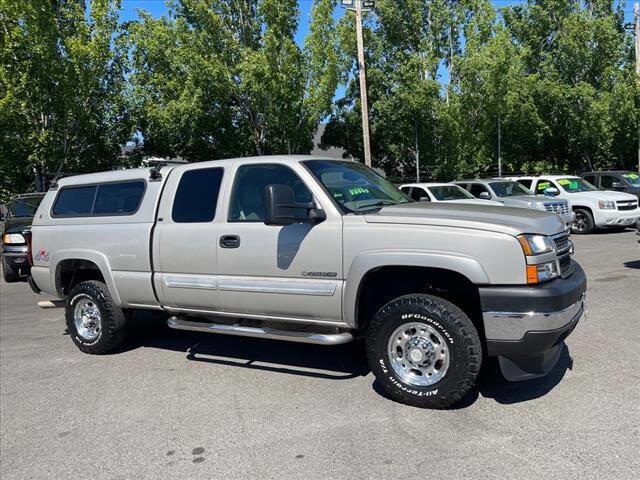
x=418 y=354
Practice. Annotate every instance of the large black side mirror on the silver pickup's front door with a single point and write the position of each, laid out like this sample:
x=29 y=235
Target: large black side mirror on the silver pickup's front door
x=282 y=209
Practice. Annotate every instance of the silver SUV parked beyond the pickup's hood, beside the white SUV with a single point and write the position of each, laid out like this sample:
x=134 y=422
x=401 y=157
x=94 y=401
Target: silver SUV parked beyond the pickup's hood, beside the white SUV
x=513 y=194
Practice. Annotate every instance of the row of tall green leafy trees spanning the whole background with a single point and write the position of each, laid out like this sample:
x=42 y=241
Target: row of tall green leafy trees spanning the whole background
x=221 y=78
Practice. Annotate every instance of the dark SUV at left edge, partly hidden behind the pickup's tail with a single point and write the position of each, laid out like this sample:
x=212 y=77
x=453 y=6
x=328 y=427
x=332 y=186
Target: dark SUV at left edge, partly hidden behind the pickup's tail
x=15 y=264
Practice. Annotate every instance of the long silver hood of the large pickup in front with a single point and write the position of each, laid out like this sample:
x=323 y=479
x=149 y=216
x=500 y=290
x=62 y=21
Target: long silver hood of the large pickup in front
x=509 y=220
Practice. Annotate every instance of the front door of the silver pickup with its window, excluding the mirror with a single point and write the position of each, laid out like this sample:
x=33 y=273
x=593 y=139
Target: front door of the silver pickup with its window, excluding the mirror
x=292 y=271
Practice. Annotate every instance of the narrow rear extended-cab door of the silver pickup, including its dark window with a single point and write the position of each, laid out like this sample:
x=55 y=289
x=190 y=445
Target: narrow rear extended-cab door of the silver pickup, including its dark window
x=185 y=239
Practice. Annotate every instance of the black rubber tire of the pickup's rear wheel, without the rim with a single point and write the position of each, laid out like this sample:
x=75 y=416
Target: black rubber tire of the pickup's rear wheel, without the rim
x=113 y=319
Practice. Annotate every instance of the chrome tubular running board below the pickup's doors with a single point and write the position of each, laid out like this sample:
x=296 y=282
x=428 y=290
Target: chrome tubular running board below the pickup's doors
x=261 y=332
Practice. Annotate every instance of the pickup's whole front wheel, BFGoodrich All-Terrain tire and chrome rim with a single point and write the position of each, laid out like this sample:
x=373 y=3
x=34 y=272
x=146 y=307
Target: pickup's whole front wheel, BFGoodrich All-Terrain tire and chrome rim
x=424 y=351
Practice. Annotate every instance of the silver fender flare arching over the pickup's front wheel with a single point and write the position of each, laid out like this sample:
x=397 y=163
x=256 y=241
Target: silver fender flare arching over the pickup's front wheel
x=363 y=264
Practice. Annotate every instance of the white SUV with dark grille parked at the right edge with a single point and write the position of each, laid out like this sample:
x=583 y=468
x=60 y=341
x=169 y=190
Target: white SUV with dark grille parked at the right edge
x=593 y=208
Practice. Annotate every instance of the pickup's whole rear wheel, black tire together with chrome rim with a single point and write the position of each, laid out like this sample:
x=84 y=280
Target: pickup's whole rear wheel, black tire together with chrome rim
x=95 y=323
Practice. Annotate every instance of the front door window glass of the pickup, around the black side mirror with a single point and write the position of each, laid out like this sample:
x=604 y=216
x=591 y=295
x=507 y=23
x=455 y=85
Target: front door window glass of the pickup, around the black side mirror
x=247 y=200
